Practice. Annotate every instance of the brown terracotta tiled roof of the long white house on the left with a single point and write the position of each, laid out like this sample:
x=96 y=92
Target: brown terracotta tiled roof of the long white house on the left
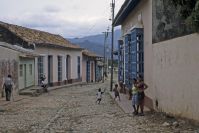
x=38 y=37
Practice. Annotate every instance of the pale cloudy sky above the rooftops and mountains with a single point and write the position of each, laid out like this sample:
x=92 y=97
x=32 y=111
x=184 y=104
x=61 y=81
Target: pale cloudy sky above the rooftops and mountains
x=69 y=18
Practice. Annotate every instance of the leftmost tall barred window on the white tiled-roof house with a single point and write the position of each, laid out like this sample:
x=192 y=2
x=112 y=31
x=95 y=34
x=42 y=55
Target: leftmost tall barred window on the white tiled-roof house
x=40 y=68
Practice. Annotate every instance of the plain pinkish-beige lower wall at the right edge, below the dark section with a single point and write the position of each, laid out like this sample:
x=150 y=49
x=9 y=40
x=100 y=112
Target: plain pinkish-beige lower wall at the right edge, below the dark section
x=176 y=77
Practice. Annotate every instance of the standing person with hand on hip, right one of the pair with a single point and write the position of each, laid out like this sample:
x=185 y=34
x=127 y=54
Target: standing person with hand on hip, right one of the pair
x=141 y=95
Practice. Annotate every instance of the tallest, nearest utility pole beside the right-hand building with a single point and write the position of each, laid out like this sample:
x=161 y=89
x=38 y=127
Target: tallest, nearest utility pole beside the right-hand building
x=112 y=45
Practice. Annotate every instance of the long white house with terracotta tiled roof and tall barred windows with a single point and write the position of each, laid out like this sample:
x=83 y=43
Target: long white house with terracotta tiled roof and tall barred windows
x=58 y=60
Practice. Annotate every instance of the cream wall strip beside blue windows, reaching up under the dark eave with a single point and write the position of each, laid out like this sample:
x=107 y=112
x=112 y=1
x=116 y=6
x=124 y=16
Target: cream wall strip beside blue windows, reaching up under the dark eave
x=144 y=8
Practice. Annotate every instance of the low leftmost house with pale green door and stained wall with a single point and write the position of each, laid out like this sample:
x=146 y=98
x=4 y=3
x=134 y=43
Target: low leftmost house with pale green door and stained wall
x=12 y=60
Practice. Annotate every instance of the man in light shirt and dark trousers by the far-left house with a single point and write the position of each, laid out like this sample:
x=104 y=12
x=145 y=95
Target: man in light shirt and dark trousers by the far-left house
x=8 y=86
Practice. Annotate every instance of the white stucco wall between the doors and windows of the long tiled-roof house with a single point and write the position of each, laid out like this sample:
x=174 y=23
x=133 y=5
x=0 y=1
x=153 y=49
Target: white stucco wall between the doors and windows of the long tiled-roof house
x=55 y=52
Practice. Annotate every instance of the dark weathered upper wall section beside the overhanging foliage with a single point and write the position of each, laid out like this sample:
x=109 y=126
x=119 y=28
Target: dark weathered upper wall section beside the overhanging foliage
x=167 y=22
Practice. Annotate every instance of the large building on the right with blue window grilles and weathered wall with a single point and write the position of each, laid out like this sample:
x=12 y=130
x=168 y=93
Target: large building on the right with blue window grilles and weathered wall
x=158 y=45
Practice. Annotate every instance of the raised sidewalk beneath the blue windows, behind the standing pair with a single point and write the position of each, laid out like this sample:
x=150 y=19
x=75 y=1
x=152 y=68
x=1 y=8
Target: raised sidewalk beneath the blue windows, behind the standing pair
x=125 y=104
